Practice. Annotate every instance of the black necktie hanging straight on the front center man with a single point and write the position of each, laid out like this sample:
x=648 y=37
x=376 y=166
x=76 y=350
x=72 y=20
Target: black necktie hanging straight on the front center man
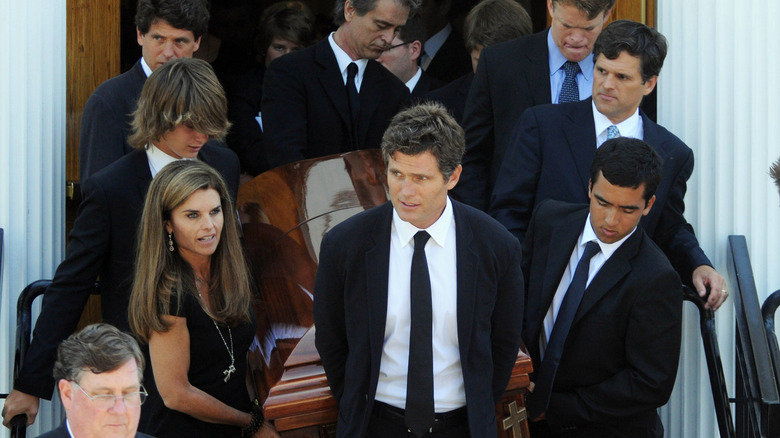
x=419 y=382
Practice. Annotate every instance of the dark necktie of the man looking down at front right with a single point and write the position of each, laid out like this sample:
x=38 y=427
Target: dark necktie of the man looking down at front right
x=540 y=398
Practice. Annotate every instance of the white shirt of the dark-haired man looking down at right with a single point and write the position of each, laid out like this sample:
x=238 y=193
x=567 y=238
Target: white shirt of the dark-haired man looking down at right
x=598 y=260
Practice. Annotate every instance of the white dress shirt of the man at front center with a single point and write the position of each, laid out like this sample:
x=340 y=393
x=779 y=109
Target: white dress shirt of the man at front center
x=448 y=389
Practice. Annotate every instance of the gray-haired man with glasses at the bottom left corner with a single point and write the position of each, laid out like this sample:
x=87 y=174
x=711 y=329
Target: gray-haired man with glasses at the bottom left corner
x=99 y=372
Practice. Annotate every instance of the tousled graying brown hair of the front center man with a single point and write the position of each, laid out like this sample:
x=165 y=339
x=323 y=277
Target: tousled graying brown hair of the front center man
x=426 y=127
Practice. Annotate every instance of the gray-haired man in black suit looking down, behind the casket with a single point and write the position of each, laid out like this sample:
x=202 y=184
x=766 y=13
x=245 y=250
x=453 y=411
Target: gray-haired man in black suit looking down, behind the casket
x=314 y=104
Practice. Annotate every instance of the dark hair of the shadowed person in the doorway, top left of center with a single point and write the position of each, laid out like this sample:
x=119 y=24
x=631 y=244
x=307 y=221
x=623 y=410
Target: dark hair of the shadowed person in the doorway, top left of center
x=291 y=20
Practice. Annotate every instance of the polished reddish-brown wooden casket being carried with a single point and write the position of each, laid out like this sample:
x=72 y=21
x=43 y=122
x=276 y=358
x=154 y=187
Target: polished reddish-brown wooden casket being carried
x=284 y=214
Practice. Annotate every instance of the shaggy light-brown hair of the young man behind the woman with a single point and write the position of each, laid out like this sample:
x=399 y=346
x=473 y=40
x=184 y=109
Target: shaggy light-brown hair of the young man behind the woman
x=182 y=91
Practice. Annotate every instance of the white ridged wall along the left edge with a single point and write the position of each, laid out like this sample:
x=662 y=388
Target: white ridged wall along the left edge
x=32 y=153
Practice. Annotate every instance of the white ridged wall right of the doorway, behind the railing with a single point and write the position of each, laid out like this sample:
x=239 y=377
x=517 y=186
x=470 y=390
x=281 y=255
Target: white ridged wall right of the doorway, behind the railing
x=718 y=92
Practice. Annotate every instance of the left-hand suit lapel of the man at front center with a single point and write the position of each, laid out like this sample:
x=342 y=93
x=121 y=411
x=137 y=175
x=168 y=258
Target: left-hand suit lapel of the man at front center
x=377 y=261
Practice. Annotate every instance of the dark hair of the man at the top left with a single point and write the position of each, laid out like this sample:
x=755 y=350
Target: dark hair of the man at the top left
x=192 y=15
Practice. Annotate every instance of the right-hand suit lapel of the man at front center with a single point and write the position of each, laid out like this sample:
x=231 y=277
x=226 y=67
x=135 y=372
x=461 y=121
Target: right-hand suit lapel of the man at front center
x=467 y=260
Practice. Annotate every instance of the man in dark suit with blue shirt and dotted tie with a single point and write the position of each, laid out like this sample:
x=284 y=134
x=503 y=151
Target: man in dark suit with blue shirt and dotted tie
x=520 y=74
